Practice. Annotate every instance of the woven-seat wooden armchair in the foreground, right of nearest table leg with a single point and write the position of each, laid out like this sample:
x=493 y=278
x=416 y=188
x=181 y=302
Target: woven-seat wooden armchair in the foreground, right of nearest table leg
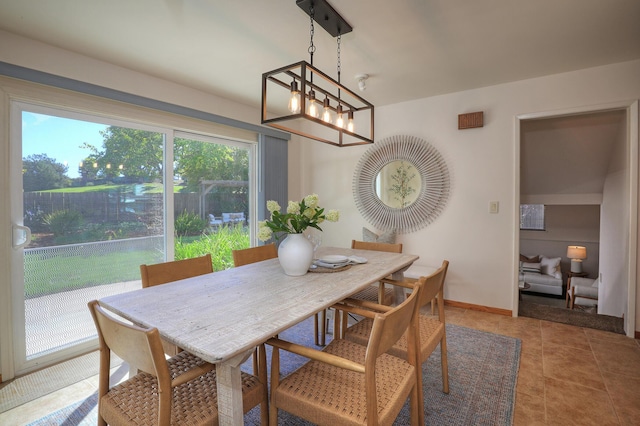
x=350 y=384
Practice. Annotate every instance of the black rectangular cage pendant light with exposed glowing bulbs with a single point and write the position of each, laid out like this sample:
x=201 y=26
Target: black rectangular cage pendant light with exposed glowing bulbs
x=305 y=101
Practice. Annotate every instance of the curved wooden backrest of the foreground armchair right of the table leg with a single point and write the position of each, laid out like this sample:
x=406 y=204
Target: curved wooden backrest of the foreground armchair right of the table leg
x=390 y=326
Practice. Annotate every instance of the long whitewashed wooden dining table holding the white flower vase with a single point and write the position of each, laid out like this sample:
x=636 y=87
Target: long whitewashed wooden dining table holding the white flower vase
x=221 y=317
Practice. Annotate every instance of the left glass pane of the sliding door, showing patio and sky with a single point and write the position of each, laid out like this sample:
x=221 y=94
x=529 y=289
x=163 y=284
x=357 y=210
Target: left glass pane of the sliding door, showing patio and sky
x=93 y=198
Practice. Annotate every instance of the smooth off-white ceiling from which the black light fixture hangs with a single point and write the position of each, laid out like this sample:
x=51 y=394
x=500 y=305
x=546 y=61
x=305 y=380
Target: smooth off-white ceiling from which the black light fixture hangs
x=411 y=49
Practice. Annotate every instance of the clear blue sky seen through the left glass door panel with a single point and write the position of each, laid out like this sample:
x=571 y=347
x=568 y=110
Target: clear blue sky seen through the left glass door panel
x=59 y=138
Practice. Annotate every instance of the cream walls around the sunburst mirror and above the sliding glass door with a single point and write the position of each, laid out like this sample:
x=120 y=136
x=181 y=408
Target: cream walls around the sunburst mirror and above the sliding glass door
x=482 y=162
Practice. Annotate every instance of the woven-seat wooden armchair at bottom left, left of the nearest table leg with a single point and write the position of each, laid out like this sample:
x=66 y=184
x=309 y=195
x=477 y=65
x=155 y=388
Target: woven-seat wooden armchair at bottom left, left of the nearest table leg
x=178 y=391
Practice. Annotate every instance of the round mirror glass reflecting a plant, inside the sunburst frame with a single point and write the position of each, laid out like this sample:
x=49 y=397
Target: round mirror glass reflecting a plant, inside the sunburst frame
x=398 y=184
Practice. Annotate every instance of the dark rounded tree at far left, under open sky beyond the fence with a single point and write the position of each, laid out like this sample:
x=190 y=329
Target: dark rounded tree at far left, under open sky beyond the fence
x=40 y=172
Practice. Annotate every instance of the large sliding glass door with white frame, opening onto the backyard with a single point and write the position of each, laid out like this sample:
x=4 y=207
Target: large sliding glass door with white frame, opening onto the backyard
x=92 y=198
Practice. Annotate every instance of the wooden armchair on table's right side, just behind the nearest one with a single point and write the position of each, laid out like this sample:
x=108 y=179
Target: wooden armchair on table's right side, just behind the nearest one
x=431 y=331
